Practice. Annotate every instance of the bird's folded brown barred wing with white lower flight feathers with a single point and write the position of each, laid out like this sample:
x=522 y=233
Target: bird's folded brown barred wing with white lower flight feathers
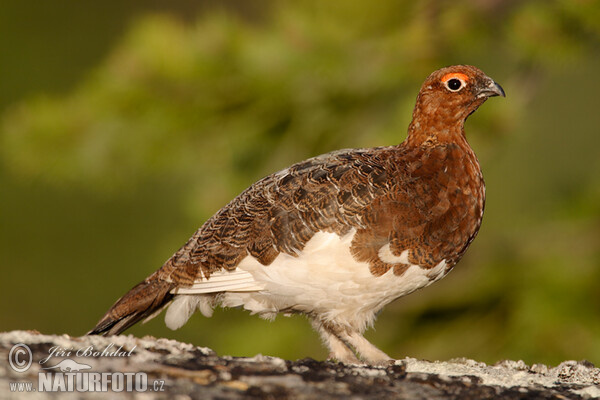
x=280 y=214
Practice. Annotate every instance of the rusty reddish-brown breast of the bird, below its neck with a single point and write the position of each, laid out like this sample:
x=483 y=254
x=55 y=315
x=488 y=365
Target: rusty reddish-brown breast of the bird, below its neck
x=430 y=217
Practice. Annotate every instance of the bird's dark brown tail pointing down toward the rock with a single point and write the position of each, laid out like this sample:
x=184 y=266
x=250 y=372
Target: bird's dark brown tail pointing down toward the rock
x=144 y=301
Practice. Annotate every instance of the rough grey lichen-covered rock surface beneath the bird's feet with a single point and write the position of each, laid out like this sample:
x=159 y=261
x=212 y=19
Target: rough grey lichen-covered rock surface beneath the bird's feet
x=174 y=370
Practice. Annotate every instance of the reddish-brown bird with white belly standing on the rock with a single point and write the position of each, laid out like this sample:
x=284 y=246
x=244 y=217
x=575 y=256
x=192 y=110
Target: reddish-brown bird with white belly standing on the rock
x=338 y=236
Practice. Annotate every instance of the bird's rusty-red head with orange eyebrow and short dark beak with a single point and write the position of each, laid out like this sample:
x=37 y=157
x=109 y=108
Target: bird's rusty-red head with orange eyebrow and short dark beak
x=448 y=96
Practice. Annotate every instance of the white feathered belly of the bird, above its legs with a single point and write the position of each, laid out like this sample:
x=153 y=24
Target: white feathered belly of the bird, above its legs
x=323 y=280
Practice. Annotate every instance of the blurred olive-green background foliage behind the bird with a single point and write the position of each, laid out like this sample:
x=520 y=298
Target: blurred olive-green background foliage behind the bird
x=124 y=125
